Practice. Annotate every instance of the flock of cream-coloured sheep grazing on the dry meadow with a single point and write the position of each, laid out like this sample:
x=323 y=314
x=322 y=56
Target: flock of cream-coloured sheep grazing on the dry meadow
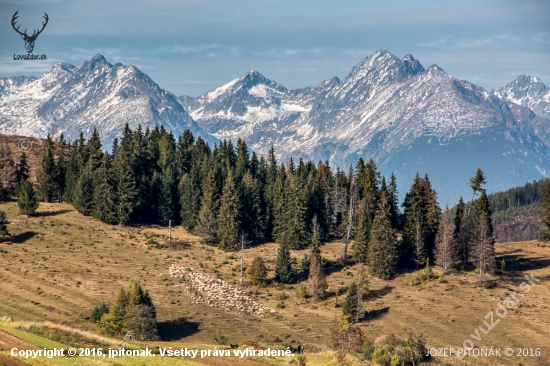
x=217 y=293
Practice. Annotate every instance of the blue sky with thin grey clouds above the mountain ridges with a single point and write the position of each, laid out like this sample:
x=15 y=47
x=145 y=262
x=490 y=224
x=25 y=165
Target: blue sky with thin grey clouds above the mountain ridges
x=192 y=46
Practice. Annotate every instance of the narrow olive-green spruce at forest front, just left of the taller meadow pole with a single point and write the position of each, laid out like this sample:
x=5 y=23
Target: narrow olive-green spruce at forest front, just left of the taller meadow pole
x=227 y=220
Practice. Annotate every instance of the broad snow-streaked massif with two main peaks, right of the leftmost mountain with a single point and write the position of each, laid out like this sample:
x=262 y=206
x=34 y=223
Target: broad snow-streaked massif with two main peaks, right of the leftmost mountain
x=406 y=118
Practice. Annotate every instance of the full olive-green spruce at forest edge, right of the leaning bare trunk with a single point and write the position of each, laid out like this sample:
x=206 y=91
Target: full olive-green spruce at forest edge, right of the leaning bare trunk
x=382 y=250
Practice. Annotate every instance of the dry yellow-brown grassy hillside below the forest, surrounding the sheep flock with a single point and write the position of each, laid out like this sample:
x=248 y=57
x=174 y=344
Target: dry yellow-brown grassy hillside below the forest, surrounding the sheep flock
x=59 y=264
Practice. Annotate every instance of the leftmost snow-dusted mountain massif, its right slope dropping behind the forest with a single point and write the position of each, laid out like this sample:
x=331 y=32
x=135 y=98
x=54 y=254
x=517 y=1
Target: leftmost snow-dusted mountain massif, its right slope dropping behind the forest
x=68 y=99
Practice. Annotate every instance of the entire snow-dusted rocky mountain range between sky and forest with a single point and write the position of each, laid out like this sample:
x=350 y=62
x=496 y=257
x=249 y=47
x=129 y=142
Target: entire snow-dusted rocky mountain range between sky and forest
x=407 y=118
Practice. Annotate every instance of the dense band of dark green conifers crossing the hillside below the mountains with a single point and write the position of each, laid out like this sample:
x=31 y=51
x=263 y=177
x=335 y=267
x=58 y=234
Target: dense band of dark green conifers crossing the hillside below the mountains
x=227 y=192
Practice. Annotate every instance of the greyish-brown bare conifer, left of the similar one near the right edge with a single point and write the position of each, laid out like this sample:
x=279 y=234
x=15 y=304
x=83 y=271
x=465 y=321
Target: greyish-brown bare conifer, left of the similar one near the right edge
x=446 y=243
